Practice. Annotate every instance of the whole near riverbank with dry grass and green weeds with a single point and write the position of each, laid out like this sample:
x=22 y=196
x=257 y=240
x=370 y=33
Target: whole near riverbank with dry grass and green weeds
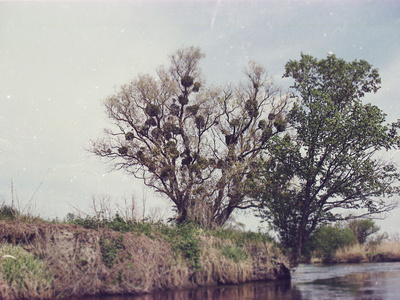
x=46 y=260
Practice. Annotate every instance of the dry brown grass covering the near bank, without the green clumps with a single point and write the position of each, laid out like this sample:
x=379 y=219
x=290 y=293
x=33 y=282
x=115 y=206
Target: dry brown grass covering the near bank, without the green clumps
x=81 y=261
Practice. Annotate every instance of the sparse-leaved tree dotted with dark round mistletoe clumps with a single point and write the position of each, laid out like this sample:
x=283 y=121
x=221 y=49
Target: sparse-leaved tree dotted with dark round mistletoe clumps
x=192 y=143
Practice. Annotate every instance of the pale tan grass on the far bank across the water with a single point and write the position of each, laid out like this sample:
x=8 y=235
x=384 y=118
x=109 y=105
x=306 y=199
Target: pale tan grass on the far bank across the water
x=387 y=251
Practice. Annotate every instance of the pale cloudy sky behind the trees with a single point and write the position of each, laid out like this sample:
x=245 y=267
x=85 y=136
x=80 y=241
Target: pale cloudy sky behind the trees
x=59 y=61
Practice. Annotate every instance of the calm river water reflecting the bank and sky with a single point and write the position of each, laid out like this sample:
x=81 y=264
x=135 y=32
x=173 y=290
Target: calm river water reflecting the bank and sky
x=341 y=281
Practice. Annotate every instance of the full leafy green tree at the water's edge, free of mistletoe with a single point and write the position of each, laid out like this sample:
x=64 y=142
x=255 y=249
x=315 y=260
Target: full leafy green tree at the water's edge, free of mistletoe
x=328 y=159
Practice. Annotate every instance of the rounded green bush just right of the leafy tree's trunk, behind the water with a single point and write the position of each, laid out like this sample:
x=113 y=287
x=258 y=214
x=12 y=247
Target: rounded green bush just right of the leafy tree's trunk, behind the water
x=326 y=240
